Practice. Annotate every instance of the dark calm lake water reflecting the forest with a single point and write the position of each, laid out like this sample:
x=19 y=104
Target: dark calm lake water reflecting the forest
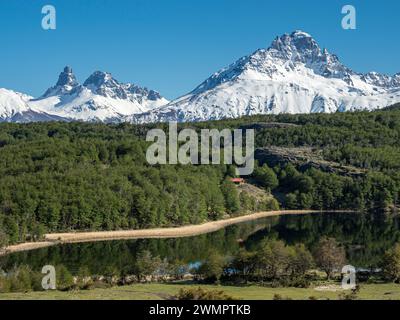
x=364 y=238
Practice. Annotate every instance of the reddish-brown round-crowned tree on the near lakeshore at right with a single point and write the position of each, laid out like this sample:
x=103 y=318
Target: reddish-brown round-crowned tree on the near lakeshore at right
x=329 y=256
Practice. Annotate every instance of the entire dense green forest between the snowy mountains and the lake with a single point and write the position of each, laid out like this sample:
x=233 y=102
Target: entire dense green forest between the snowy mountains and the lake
x=81 y=176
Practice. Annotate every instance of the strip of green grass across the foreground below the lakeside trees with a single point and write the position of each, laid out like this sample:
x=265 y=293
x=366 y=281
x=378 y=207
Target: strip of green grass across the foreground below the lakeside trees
x=165 y=291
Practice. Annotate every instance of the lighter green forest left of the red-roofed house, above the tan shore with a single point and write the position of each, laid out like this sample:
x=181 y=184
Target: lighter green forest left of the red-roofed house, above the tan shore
x=77 y=176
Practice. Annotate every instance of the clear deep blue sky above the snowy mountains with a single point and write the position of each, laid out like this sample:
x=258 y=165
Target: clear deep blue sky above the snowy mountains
x=173 y=45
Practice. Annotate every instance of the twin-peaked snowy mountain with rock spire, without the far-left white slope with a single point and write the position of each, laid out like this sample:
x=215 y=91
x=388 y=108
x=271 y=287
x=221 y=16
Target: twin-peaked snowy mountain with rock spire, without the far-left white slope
x=100 y=98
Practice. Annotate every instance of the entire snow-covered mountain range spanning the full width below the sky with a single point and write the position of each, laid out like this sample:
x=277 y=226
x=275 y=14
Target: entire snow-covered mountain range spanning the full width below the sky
x=294 y=75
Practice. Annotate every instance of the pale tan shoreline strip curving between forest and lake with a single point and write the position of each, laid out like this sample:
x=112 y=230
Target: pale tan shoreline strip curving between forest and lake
x=52 y=239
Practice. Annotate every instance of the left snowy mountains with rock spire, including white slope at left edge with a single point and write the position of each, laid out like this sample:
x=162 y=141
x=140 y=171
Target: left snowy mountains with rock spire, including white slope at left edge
x=100 y=98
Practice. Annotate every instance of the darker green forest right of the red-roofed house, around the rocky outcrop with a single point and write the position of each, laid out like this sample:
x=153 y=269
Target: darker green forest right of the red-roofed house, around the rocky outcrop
x=369 y=142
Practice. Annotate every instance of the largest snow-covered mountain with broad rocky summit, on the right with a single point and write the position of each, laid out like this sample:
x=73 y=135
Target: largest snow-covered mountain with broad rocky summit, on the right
x=294 y=75
